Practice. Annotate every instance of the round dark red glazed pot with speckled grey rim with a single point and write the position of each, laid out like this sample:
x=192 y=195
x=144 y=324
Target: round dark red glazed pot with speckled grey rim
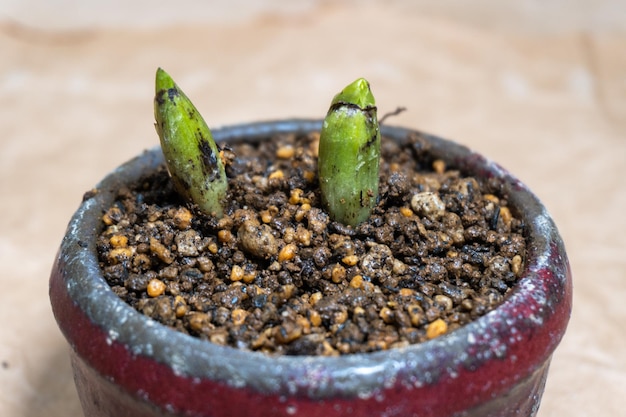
x=126 y=364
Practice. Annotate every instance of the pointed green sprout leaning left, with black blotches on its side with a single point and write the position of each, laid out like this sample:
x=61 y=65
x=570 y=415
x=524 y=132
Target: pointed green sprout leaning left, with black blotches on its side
x=191 y=155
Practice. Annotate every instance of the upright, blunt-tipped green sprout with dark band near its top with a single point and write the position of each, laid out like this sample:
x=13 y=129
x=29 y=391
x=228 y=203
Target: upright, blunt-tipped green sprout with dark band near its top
x=349 y=155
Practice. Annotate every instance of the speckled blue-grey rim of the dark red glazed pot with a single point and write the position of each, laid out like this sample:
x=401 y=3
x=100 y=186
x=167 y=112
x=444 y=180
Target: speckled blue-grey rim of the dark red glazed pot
x=542 y=296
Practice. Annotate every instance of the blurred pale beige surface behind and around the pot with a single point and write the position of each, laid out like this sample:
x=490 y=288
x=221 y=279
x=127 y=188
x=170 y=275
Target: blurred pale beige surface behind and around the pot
x=539 y=86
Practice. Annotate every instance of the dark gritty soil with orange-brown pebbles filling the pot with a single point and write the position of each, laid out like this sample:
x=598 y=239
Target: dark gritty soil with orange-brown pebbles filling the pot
x=276 y=275
